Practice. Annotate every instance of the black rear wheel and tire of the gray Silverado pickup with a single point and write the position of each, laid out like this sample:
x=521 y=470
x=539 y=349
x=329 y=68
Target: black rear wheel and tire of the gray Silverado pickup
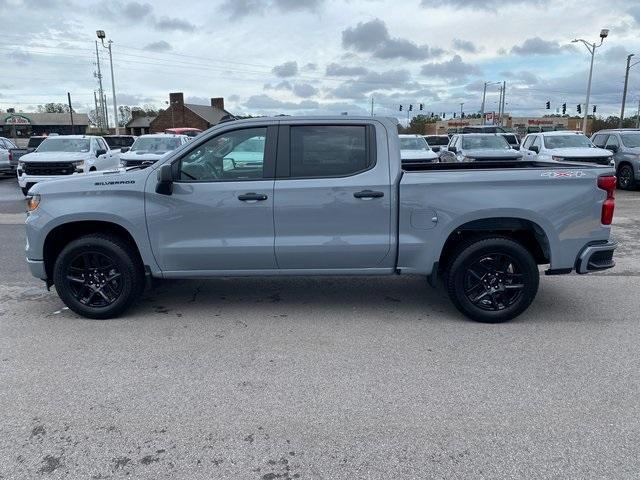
x=492 y=279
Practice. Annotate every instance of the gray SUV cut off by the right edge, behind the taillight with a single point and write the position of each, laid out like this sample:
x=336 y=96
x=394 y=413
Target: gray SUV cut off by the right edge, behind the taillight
x=625 y=146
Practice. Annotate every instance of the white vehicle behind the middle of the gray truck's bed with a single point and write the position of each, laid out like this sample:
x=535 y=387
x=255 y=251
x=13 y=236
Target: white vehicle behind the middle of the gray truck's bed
x=479 y=147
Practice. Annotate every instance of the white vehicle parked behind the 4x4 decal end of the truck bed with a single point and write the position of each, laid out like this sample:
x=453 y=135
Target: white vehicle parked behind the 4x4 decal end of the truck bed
x=563 y=146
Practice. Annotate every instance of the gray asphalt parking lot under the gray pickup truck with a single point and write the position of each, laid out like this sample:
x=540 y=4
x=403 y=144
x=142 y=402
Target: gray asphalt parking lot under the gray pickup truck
x=333 y=378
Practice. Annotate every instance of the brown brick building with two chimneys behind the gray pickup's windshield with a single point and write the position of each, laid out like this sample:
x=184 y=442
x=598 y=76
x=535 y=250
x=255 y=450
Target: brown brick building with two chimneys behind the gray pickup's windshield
x=179 y=114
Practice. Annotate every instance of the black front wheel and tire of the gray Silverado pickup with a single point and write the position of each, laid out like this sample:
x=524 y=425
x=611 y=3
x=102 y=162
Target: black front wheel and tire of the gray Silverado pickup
x=98 y=263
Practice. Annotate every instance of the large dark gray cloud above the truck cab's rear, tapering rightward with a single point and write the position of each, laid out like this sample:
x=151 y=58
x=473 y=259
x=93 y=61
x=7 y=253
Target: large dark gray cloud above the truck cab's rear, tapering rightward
x=373 y=37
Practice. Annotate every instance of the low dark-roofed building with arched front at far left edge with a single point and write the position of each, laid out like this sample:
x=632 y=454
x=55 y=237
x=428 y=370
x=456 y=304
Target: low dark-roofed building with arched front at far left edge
x=24 y=125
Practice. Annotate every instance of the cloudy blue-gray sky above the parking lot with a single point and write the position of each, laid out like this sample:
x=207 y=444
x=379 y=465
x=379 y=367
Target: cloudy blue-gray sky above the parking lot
x=321 y=56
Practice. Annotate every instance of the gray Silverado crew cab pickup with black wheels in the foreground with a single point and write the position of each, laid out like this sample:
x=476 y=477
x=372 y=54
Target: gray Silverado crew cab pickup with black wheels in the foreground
x=319 y=196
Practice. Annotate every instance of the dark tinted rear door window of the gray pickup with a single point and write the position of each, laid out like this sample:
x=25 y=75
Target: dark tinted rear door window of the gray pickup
x=328 y=151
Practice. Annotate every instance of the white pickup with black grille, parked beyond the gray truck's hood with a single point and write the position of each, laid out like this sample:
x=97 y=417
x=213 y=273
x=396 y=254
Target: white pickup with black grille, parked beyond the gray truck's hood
x=63 y=155
